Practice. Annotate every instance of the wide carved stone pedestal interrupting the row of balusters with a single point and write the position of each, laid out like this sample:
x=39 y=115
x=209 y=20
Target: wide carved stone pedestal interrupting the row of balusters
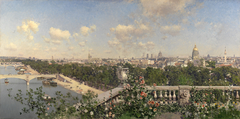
x=184 y=95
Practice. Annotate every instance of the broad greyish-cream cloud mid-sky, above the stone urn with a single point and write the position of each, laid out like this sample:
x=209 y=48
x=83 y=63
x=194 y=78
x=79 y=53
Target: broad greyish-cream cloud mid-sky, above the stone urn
x=125 y=36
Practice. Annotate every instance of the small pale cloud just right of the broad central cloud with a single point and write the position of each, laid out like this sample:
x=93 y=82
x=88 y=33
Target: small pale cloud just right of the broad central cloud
x=171 y=30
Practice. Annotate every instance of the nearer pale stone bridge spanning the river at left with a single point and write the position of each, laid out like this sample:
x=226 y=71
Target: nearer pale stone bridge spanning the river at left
x=28 y=78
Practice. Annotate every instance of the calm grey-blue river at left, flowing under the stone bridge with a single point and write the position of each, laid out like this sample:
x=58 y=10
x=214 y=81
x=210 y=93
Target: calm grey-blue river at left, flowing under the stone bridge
x=9 y=108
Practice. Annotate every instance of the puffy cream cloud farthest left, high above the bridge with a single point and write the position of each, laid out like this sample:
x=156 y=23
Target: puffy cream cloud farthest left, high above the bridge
x=28 y=27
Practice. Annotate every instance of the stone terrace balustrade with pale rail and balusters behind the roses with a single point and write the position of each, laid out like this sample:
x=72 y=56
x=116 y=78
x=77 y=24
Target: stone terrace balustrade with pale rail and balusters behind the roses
x=172 y=94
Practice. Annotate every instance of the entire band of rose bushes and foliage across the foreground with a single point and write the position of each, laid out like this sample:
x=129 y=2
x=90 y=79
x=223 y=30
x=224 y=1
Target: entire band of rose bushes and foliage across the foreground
x=138 y=101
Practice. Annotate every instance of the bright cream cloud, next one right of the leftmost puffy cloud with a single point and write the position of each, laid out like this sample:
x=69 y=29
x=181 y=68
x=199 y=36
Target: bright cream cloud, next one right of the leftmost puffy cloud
x=58 y=34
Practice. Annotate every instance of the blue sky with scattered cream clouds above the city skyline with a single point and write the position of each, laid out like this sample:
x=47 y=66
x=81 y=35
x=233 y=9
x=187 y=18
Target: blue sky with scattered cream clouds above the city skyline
x=118 y=28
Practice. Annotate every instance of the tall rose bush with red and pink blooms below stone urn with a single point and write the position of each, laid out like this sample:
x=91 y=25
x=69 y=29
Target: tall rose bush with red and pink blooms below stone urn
x=138 y=100
